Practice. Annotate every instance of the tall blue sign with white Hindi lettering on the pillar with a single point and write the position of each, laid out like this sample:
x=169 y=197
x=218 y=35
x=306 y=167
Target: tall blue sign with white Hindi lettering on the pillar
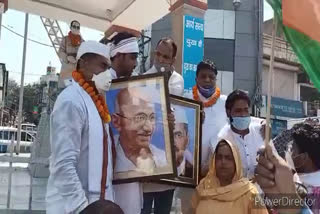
x=193 y=48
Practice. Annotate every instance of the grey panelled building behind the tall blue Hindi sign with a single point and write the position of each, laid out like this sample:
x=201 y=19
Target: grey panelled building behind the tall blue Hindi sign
x=232 y=41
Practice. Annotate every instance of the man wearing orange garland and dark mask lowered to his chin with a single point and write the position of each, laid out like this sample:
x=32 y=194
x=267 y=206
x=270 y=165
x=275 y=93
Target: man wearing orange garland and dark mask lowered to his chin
x=215 y=117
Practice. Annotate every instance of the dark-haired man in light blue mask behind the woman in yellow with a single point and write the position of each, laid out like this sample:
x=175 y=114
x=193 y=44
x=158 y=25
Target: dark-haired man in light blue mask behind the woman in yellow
x=241 y=130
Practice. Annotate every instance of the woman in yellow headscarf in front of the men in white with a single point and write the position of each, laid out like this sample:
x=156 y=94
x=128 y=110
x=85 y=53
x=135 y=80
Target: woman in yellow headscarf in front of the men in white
x=224 y=189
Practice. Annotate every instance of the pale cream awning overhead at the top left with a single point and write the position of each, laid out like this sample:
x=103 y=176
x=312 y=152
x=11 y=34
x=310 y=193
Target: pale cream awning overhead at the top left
x=98 y=14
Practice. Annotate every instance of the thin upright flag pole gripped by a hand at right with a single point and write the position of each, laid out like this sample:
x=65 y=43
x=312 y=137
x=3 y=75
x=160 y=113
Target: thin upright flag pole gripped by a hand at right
x=270 y=80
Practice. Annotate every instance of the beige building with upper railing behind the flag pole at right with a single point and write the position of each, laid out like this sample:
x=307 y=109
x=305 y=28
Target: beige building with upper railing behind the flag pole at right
x=290 y=80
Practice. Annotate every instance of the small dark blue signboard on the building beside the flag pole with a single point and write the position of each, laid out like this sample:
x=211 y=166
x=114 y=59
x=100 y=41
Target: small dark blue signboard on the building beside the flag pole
x=286 y=108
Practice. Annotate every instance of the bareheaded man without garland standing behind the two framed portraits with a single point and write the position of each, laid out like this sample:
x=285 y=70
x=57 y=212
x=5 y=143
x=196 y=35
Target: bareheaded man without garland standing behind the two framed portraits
x=165 y=55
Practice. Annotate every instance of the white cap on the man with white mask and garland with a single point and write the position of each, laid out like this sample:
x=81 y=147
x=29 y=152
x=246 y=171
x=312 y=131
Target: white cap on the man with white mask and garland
x=93 y=47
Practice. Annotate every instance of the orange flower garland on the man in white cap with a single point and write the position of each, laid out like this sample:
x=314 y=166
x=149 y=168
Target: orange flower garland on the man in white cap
x=97 y=98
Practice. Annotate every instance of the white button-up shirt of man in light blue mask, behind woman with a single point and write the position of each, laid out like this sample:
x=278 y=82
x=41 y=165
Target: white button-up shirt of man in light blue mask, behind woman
x=248 y=146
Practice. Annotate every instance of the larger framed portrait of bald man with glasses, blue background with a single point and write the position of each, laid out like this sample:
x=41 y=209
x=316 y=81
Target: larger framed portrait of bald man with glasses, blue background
x=139 y=109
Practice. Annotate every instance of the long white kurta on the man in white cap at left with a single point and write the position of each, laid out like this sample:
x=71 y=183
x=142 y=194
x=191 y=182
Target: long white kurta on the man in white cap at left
x=75 y=126
